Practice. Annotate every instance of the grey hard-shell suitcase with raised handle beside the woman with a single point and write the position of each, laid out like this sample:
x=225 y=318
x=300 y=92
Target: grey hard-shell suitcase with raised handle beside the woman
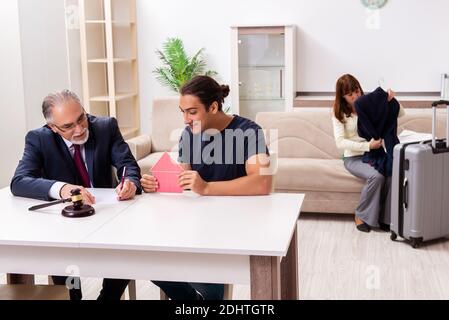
x=420 y=188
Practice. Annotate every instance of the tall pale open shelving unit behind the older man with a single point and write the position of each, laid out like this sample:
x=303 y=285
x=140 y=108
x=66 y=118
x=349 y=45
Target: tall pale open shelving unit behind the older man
x=109 y=61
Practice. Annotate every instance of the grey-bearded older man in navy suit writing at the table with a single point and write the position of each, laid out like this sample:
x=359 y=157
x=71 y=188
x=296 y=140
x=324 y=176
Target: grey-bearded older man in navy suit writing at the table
x=75 y=150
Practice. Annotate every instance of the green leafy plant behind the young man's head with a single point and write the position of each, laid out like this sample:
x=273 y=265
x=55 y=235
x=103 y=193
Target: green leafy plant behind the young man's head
x=178 y=67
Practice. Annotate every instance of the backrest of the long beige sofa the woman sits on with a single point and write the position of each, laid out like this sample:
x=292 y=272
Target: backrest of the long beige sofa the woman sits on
x=308 y=132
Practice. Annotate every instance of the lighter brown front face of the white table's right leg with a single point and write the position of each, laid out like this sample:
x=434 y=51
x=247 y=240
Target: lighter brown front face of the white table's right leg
x=265 y=278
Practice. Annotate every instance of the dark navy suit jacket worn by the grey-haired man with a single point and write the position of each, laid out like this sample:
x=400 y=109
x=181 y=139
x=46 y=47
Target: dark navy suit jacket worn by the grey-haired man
x=46 y=159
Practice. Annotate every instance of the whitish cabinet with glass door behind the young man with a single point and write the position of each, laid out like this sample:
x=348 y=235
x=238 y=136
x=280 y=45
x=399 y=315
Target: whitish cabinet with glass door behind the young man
x=263 y=61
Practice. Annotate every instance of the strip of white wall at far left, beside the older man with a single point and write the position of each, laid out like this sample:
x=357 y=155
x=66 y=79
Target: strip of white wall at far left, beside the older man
x=12 y=120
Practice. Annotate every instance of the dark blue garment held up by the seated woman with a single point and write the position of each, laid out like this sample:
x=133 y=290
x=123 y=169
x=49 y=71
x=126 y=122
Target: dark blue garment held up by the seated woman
x=378 y=119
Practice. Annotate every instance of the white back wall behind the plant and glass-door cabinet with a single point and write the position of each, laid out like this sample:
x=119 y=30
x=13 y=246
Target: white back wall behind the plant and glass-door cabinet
x=409 y=50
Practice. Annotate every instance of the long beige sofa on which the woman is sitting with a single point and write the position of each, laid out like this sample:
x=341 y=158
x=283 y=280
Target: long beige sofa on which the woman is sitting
x=309 y=161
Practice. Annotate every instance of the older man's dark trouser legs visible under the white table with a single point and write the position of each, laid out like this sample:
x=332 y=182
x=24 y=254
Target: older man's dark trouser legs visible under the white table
x=112 y=288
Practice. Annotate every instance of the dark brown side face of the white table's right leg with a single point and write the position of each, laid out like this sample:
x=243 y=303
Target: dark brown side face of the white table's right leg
x=289 y=271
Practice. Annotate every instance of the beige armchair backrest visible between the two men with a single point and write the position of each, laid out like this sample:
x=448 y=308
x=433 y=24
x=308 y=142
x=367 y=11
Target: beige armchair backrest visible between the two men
x=167 y=124
